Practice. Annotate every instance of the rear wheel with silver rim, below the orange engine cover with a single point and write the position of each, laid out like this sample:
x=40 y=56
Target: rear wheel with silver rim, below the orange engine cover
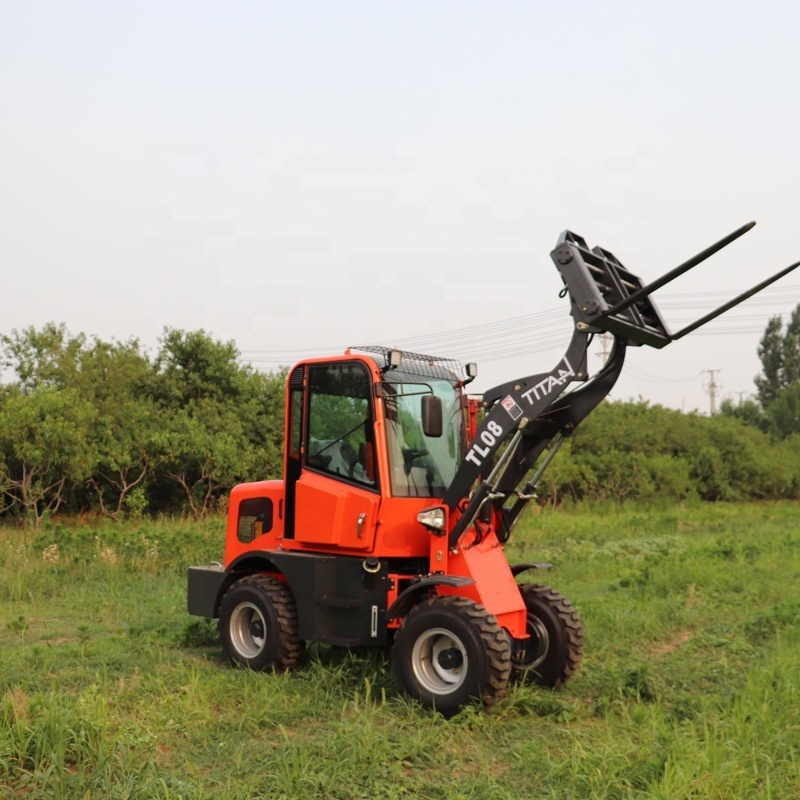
x=258 y=624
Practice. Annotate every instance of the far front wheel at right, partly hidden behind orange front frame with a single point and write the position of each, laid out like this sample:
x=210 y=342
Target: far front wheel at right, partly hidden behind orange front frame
x=555 y=647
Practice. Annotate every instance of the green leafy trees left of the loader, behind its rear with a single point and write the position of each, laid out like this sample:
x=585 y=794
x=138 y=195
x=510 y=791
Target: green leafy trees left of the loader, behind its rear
x=88 y=424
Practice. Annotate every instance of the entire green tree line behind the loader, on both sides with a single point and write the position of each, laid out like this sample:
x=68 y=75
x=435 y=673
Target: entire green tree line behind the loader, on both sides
x=89 y=425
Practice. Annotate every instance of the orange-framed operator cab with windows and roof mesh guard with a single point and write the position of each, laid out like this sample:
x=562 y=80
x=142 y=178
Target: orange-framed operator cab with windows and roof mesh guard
x=369 y=425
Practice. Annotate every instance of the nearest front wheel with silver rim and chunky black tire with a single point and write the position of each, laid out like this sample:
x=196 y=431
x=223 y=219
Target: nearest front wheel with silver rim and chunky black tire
x=450 y=651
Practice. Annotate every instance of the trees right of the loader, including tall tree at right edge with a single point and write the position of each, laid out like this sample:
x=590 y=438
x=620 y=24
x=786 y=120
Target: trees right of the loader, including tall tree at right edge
x=750 y=450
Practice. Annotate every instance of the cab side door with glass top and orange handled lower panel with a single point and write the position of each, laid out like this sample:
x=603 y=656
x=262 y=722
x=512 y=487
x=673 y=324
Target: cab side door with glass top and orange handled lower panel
x=336 y=496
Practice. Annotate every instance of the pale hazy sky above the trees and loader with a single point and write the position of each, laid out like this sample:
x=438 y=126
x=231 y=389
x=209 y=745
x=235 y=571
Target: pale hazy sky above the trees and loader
x=302 y=177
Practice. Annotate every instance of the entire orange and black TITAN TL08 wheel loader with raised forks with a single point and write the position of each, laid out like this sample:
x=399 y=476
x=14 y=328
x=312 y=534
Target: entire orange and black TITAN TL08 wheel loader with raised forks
x=399 y=493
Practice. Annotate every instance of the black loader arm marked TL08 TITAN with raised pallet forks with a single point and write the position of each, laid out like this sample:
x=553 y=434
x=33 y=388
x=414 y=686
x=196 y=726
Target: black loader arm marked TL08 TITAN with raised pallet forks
x=533 y=414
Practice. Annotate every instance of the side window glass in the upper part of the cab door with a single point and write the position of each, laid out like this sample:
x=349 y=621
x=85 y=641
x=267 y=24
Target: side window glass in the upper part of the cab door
x=340 y=422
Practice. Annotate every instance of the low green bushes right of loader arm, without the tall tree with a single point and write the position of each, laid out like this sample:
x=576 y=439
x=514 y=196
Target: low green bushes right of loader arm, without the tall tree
x=634 y=451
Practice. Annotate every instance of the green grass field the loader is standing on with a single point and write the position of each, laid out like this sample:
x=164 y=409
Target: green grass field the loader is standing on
x=690 y=687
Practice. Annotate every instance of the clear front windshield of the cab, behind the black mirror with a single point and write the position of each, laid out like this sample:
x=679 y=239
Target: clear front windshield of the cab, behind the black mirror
x=422 y=466
